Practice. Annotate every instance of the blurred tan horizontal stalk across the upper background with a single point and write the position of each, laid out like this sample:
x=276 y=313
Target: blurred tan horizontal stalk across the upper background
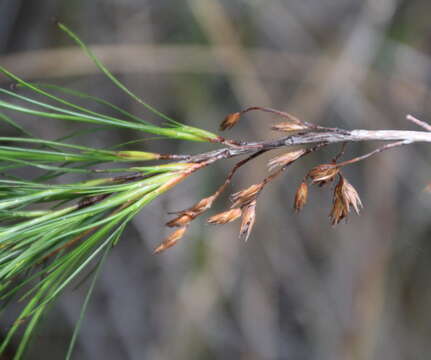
x=132 y=58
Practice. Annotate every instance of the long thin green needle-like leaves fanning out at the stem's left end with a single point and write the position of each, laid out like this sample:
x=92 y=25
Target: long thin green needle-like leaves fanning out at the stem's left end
x=51 y=232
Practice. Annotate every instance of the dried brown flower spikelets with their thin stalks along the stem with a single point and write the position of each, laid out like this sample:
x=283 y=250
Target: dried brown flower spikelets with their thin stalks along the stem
x=344 y=196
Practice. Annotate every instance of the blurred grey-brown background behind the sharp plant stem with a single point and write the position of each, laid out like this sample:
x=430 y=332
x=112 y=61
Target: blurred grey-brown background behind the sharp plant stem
x=299 y=289
